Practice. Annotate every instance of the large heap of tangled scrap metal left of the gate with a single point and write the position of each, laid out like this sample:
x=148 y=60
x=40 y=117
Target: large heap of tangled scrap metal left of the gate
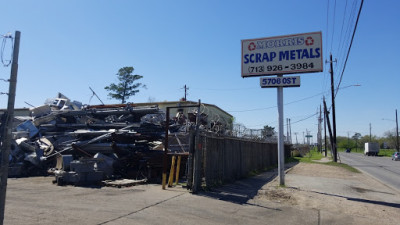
x=89 y=144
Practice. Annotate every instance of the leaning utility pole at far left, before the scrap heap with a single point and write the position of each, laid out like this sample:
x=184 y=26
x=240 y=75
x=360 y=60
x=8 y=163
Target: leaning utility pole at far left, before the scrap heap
x=6 y=136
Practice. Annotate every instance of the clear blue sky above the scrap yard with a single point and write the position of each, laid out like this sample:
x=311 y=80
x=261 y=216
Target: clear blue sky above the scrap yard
x=69 y=46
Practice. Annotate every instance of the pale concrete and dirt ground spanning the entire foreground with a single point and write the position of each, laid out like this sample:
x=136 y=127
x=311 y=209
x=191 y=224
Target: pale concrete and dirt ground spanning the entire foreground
x=313 y=194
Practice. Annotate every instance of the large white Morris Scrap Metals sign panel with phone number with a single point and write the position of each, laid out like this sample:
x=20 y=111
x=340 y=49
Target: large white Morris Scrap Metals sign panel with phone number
x=298 y=53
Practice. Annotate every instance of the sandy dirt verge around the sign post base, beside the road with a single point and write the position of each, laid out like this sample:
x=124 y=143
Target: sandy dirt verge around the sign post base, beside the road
x=335 y=190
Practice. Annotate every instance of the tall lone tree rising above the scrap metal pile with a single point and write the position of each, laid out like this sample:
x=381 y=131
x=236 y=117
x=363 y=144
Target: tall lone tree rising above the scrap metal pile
x=127 y=85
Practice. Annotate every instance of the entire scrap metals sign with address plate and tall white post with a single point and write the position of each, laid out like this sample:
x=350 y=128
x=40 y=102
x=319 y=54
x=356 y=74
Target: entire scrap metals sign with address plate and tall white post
x=288 y=54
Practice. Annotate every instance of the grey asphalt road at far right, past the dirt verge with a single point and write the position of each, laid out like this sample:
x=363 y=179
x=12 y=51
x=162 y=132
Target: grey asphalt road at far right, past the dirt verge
x=382 y=168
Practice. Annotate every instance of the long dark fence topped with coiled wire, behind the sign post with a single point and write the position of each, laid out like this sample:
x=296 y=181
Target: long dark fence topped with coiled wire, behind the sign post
x=225 y=159
